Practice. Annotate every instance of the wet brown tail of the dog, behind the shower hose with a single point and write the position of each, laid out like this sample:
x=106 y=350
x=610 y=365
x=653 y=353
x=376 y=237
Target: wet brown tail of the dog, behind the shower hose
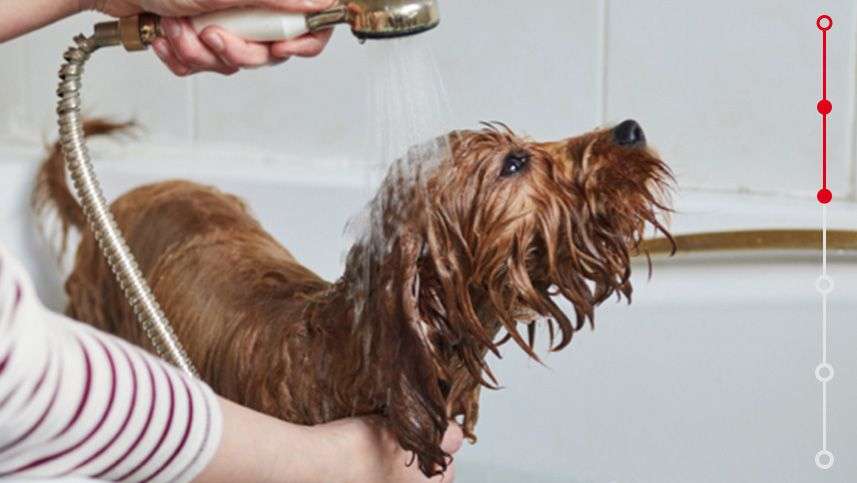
x=52 y=194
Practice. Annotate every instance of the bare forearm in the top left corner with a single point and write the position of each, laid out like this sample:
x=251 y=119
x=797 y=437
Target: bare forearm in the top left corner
x=18 y=17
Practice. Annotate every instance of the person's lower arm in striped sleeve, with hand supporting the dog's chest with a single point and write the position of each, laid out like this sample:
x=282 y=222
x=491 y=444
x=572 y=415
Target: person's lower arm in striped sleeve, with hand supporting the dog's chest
x=45 y=359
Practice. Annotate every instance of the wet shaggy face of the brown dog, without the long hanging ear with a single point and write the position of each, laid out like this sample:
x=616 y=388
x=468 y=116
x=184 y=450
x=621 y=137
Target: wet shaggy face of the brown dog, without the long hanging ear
x=509 y=223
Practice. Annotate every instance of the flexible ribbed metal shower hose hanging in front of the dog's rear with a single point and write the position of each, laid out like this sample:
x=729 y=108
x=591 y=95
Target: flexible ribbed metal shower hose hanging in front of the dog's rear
x=106 y=232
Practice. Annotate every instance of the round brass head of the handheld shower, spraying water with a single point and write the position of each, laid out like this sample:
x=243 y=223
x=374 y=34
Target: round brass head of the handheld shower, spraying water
x=384 y=19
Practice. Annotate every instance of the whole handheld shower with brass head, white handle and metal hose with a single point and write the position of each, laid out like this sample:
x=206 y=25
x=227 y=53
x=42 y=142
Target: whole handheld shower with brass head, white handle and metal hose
x=369 y=19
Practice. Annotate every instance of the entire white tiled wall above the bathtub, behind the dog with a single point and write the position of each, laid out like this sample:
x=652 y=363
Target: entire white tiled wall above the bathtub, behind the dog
x=726 y=90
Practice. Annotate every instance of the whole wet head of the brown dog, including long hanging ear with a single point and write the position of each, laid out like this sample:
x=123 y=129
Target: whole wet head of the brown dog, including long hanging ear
x=488 y=237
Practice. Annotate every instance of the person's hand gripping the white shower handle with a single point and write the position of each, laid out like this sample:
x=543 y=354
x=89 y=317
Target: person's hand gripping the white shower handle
x=184 y=51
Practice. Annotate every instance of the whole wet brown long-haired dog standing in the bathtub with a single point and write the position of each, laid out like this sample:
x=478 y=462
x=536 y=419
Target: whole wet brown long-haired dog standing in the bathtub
x=491 y=235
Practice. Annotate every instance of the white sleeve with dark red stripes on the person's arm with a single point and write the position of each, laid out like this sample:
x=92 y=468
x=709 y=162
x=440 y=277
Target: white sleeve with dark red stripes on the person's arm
x=76 y=402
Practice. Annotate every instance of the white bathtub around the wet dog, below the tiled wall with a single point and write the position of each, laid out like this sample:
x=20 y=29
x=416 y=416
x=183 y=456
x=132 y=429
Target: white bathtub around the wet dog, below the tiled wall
x=707 y=377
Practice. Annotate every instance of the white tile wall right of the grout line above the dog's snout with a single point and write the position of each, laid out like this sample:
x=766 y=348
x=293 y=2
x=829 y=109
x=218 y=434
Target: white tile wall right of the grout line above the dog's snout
x=728 y=89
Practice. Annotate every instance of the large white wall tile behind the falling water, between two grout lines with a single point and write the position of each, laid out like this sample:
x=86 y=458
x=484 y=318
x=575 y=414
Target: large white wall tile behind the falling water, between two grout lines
x=318 y=108
